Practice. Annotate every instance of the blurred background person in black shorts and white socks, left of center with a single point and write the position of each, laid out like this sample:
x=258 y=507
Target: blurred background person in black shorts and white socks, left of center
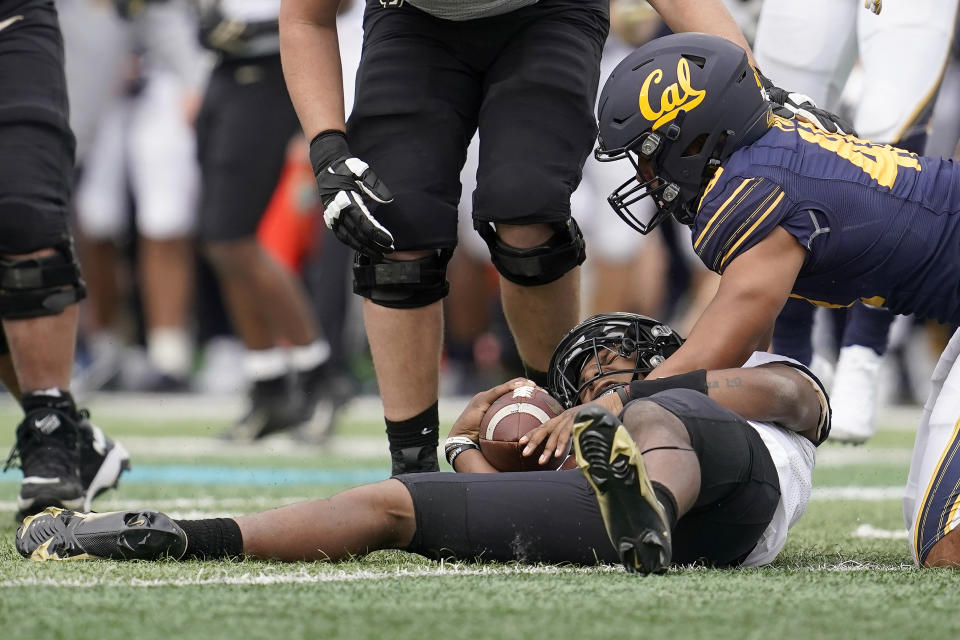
x=244 y=128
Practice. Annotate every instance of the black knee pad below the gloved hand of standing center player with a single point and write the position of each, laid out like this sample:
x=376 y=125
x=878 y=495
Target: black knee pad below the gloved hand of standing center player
x=406 y=284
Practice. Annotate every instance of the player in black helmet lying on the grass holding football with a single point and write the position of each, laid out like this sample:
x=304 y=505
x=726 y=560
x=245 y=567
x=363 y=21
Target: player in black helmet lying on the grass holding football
x=706 y=466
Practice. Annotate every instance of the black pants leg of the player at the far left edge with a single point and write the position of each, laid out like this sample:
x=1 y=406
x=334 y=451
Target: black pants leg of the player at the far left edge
x=36 y=145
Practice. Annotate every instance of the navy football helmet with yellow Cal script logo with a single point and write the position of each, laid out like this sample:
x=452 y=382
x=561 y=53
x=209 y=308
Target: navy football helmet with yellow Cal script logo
x=683 y=103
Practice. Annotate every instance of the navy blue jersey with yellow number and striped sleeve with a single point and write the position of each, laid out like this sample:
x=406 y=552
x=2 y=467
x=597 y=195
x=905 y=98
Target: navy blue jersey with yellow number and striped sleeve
x=880 y=224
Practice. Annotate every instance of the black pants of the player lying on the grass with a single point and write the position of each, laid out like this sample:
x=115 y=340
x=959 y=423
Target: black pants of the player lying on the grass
x=553 y=517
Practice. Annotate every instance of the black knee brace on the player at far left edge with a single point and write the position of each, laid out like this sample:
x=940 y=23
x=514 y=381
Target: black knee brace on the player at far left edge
x=40 y=286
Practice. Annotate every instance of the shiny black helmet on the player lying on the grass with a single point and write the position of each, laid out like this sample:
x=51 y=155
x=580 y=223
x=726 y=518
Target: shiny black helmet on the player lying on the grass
x=647 y=341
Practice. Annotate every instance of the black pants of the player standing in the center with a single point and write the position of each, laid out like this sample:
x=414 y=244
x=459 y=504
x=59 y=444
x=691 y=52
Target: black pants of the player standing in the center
x=527 y=78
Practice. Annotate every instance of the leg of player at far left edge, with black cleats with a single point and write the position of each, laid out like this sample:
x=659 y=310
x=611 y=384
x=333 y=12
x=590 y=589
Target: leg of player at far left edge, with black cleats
x=65 y=460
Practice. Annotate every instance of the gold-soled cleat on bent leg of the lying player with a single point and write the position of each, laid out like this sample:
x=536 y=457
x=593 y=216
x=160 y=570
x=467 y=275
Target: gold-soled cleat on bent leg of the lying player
x=613 y=466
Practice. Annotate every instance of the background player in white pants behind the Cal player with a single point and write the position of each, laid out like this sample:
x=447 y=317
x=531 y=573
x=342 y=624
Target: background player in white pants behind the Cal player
x=902 y=54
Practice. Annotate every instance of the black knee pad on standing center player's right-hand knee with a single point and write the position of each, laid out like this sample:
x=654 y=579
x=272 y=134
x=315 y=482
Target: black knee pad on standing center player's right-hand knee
x=538 y=265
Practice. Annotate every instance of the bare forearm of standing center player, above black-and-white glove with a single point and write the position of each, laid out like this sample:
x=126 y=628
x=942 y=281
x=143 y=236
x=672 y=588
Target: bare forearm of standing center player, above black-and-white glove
x=310 y=53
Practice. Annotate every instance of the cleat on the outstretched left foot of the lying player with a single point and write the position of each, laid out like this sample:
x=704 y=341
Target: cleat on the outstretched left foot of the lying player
x=58 y=534
